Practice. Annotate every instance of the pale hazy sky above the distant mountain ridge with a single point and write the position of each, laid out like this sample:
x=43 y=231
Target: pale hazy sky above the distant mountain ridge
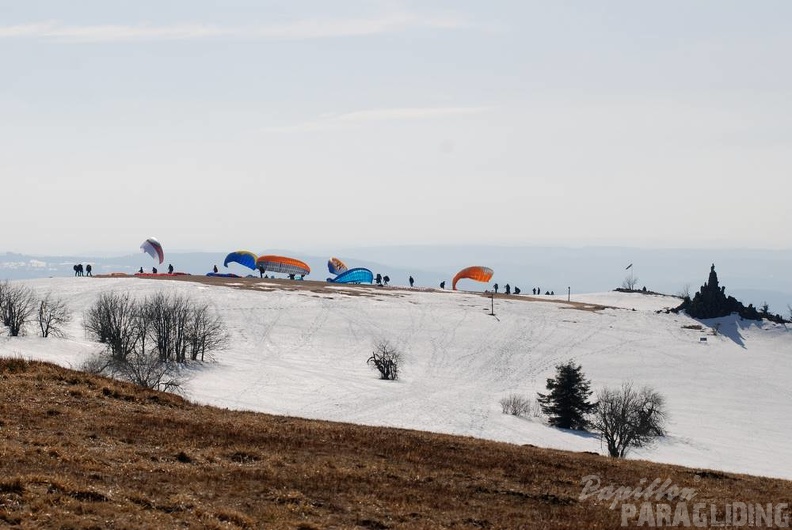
x=313 y=124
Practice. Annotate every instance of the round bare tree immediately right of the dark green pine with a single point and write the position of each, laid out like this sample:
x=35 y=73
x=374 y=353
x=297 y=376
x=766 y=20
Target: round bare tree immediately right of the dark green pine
x=627 y=418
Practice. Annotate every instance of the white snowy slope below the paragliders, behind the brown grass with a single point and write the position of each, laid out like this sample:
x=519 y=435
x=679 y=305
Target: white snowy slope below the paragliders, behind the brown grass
x=303 y=353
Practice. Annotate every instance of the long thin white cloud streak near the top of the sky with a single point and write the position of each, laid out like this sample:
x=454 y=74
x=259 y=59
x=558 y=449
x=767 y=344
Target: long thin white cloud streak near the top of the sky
x=316 y=28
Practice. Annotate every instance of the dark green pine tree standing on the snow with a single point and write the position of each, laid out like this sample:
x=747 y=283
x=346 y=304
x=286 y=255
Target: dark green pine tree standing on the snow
x=566 y=404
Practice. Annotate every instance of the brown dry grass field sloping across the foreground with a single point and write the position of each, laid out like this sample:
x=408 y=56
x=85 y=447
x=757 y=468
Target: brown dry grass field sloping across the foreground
x=79 y=451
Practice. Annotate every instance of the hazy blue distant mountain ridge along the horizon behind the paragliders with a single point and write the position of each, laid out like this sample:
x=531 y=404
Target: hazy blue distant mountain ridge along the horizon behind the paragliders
x=750 y=275
